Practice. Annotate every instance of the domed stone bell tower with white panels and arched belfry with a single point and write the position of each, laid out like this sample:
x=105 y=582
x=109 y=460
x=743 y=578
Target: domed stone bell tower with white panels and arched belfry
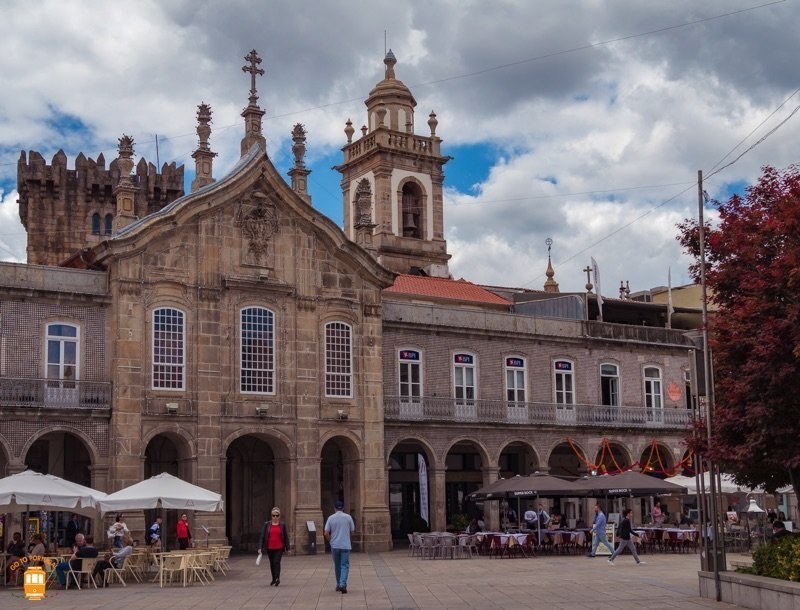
x=405 y=175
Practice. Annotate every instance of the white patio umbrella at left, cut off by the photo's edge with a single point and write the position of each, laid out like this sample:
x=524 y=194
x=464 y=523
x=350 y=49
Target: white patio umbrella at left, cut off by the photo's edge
x=33 y=491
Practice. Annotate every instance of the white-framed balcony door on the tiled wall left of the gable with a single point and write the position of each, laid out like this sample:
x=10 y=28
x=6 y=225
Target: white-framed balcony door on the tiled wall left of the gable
x=62 y=363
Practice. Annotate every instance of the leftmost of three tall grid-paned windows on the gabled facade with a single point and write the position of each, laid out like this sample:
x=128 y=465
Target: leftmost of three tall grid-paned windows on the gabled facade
x=169 y=348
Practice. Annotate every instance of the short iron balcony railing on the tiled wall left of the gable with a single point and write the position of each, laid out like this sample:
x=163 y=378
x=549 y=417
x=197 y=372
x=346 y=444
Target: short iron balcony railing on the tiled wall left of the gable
x=54 y=393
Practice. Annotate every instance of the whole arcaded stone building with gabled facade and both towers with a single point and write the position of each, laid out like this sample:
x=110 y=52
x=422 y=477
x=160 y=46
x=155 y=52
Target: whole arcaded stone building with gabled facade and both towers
x=237 y=338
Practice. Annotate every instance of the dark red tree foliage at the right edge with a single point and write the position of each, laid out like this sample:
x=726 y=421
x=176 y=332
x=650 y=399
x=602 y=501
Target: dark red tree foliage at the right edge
x=753 y=276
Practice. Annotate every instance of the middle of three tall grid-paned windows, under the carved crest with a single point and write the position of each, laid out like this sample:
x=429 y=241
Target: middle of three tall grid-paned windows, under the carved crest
x=257 y=357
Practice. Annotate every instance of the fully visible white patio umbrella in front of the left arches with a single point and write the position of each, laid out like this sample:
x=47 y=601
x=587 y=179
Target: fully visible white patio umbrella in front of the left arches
x=162 y=490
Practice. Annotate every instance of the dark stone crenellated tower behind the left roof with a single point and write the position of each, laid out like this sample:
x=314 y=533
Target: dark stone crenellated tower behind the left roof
x=65 y=210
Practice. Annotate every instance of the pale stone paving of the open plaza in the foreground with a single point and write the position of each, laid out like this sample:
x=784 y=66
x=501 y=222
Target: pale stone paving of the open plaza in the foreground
x=394 y=580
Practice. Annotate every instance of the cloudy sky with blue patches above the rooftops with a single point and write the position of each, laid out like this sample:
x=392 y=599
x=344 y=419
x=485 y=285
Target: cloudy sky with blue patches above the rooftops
x=579 y=120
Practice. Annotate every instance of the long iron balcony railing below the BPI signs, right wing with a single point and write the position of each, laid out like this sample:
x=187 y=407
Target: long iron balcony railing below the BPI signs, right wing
x=527 y=413
